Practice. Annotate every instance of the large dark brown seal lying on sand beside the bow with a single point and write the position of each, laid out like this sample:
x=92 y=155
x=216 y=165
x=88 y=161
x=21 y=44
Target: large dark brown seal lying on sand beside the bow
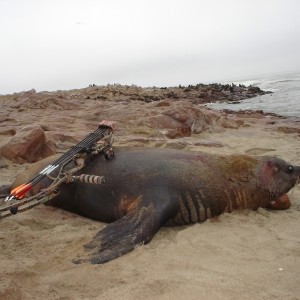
x=148 y=188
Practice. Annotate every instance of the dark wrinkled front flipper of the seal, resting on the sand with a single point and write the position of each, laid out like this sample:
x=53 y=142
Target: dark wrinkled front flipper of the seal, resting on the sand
x=122 y=236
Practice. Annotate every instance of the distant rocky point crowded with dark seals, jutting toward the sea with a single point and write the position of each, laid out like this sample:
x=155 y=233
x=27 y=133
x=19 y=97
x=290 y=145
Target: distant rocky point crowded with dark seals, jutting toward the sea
x=198 y=94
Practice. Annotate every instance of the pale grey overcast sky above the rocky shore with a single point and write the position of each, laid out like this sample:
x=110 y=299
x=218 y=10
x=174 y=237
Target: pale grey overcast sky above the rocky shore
x=64 y=44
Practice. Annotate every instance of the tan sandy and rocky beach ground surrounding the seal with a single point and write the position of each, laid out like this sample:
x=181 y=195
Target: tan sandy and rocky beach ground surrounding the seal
x=242 y=255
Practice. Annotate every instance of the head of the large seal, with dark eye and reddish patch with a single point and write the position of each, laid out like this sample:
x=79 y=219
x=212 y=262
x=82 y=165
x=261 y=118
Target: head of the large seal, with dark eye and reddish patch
x=278 y=178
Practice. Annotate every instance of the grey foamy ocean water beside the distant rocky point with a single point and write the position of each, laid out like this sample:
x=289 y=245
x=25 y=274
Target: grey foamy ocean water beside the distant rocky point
x=285 y=99
